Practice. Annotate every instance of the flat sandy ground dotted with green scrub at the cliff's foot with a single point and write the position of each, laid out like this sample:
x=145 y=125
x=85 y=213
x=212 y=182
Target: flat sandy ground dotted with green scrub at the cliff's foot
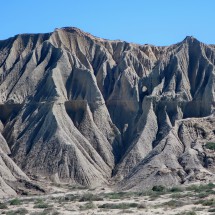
x=65 y=199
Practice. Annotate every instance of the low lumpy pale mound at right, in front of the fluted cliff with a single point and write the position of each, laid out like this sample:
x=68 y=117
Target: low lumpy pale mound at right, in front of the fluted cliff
x=180 y=157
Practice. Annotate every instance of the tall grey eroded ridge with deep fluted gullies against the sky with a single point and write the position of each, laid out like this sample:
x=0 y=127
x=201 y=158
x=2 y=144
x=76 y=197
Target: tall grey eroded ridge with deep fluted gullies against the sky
x=79 y=109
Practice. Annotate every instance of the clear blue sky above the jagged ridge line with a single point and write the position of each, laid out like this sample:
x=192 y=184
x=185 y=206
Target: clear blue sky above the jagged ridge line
x=158 y=22
